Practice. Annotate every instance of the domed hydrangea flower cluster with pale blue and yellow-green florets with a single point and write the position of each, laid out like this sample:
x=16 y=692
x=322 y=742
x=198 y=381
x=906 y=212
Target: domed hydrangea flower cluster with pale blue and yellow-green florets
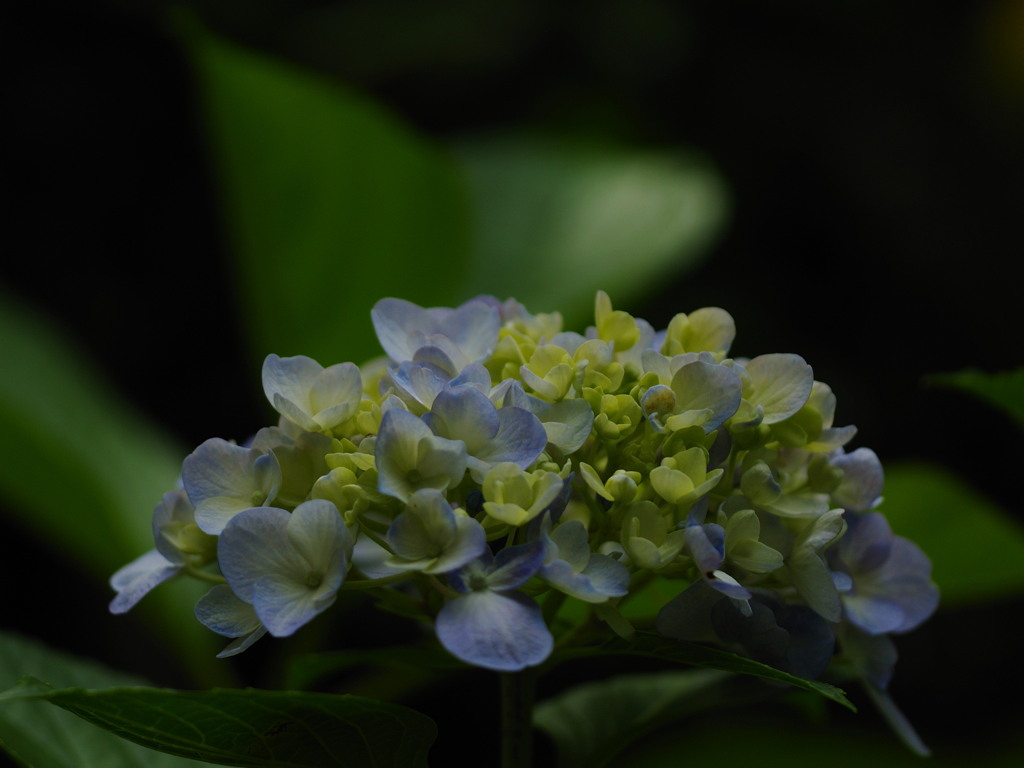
x=495 y=463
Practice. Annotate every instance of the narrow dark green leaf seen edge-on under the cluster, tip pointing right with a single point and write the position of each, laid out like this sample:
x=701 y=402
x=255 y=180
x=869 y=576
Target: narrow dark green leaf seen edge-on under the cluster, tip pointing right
x=655 y=647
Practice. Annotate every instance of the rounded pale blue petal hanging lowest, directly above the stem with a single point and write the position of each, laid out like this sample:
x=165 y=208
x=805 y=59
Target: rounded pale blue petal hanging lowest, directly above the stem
x=498 y=631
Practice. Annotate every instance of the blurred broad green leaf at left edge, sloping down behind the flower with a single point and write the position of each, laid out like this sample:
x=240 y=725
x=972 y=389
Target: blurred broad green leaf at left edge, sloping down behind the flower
x=83 y=472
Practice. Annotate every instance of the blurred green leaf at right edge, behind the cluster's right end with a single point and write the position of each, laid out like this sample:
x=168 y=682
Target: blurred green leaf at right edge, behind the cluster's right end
x=975 y=547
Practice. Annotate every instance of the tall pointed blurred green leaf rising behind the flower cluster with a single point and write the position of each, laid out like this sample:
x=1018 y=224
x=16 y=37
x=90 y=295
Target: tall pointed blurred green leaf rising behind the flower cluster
x=331 y=204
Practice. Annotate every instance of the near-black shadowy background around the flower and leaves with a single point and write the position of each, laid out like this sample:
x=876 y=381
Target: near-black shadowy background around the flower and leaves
x=873 y=152
